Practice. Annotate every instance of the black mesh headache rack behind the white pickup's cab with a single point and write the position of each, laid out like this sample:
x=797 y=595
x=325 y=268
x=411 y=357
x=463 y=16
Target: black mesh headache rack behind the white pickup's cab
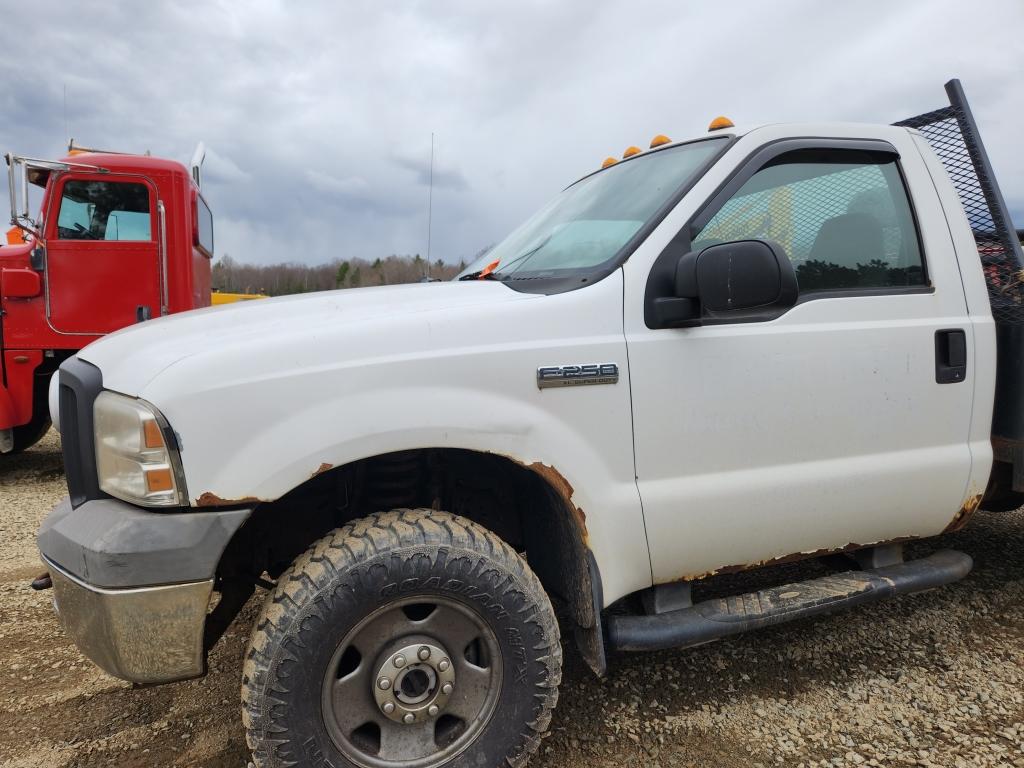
x=955 y=138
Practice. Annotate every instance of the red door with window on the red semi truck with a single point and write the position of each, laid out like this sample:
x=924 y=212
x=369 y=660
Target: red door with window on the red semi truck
x=103 y=254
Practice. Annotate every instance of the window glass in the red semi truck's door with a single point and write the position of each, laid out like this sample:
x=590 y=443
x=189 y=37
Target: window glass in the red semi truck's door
x=105 y=210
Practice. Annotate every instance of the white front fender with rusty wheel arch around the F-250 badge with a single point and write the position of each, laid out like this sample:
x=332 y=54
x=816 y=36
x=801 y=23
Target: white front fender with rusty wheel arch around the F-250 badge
x=447 y=383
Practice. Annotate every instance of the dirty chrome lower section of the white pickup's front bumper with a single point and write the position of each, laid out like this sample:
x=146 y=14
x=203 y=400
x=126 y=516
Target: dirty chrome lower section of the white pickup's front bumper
x=144 y=635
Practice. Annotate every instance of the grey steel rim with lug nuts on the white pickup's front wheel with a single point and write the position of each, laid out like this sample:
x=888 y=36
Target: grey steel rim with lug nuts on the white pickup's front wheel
x=356 y=704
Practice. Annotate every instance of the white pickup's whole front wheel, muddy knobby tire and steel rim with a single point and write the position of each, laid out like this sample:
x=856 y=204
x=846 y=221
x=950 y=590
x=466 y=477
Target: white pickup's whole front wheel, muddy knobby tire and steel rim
x=410 y=638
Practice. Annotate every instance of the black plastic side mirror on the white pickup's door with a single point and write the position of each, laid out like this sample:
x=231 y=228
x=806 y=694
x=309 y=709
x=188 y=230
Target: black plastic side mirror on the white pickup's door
x=748 y=280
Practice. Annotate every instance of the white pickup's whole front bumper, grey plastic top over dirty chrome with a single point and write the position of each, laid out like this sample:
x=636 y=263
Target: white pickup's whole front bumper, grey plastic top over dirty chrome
x=133 y=587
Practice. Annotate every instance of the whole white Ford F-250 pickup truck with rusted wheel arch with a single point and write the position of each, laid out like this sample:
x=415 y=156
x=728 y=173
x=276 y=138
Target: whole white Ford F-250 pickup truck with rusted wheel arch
x=713 y=356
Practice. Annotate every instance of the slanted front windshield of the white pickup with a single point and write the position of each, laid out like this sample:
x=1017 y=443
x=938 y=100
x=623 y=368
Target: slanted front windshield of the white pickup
x=579 y=235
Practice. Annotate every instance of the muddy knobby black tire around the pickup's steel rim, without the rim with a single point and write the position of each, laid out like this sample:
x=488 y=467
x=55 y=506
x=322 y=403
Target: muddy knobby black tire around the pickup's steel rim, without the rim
x=355 y=571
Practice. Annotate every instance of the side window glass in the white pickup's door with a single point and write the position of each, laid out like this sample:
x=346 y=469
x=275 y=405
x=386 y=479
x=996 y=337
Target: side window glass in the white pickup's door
x=842 y=217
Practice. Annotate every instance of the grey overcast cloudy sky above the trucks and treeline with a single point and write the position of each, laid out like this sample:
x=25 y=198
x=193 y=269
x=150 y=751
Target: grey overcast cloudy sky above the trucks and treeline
x=318 y=115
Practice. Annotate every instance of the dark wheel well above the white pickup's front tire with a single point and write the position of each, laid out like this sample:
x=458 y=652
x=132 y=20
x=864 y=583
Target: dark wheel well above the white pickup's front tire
x=529 y=506
